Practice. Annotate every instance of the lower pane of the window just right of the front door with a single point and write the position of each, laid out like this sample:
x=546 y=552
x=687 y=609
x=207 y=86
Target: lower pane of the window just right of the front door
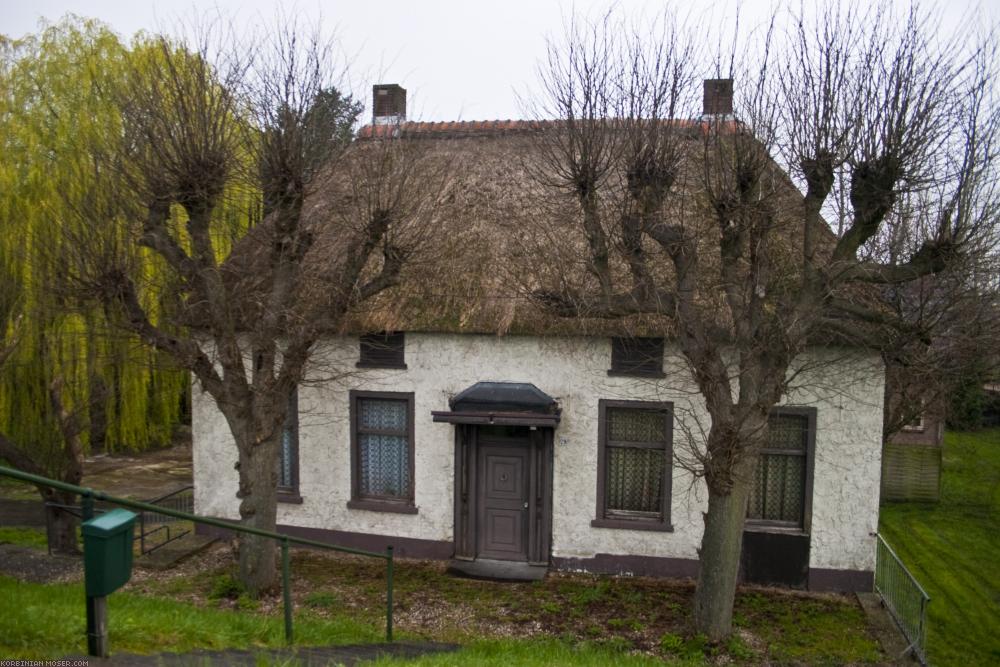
x=635 y=479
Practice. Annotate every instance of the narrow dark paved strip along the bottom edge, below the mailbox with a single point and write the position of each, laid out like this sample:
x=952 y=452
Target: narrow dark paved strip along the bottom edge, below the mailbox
x=294 y=657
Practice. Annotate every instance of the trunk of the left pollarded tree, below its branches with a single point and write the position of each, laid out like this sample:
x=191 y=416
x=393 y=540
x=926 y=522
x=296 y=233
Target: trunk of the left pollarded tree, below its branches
x=258 y=509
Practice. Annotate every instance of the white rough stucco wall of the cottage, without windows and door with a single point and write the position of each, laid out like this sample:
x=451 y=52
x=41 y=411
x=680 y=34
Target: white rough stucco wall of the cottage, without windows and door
x=845 y=388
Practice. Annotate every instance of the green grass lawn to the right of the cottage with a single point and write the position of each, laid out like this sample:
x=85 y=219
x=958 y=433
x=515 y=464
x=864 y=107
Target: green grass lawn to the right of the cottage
x=953 y=549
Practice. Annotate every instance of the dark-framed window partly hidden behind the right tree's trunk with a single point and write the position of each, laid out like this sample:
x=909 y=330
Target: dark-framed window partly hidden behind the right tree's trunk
x=781 y=486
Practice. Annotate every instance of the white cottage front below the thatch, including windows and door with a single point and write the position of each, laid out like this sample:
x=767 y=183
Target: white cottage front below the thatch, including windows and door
x=536 y=450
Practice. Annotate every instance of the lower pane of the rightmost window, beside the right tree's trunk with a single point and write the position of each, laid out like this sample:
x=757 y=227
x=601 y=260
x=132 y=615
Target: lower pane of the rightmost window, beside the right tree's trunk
x=779 y=489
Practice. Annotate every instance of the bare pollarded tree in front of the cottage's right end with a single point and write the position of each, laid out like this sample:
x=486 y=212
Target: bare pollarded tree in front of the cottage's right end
x=717 y=224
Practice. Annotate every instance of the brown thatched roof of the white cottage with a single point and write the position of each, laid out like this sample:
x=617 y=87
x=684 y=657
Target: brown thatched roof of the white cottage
x=488 y=234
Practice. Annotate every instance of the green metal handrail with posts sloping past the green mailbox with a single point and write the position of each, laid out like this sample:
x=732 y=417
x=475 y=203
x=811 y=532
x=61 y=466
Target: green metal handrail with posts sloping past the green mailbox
x=89 y=496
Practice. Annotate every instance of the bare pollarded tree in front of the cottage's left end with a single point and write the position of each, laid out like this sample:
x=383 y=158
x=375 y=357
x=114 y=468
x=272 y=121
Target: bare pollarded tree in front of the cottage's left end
x=208 y=139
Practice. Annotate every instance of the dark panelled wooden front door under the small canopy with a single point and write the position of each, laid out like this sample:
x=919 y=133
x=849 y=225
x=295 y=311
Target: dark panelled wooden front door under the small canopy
x=503 y=504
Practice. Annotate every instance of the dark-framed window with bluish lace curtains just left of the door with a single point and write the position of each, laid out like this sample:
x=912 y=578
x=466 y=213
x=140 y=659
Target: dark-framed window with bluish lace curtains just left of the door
x=382 y=451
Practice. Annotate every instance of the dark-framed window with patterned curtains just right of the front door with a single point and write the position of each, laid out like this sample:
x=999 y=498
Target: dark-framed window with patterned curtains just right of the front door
x=634 y=465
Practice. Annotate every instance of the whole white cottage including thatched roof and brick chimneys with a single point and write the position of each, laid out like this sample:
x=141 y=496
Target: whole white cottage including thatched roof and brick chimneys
x=483 y=428
